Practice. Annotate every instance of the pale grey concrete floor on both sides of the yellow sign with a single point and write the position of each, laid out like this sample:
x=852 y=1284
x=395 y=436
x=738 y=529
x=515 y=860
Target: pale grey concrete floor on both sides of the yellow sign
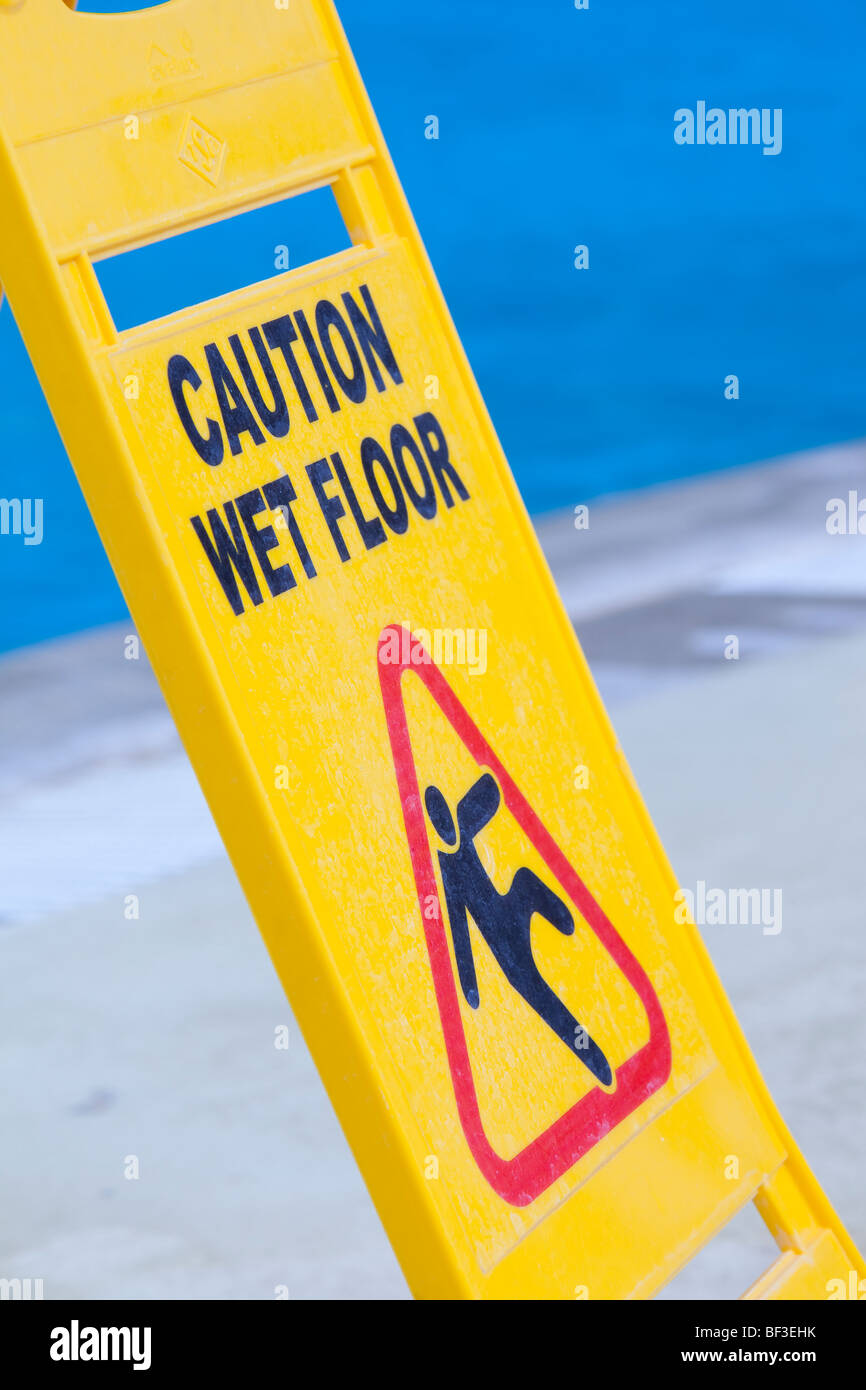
x=154 y=1038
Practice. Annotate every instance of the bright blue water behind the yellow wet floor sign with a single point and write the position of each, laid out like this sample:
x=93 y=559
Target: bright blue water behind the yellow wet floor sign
x=555 y=130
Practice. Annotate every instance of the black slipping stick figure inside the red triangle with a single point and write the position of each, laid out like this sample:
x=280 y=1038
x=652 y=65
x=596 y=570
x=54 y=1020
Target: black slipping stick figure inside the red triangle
x=504 y=919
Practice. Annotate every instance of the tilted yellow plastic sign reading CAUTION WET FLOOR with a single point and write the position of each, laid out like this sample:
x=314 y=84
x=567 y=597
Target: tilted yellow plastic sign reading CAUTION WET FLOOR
x=318 y=534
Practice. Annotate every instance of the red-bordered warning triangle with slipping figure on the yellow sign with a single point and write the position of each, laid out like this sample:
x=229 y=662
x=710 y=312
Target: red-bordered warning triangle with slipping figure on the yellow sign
x=473 y=918
